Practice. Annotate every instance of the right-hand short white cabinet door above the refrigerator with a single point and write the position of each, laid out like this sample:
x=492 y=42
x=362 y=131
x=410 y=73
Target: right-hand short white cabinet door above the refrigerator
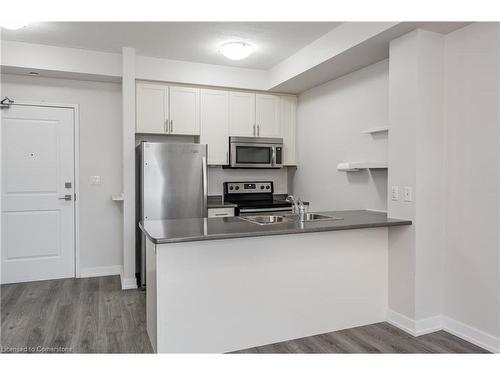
x=184 y=110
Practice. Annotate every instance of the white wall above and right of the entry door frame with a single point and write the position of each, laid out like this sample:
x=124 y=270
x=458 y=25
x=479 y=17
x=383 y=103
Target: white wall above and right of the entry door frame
x=100 y=154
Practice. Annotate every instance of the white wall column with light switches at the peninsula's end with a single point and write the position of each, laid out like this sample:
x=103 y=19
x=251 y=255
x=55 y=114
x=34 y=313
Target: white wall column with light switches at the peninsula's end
x=416 y=161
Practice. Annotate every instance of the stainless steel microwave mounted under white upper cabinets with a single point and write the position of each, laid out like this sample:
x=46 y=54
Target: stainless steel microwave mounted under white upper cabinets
x=255 y=152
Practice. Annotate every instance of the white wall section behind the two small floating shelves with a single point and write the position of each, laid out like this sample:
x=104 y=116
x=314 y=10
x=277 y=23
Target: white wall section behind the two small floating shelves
x=330 y=122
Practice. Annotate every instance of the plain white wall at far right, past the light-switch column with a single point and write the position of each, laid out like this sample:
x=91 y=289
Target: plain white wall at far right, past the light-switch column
x=472 y=275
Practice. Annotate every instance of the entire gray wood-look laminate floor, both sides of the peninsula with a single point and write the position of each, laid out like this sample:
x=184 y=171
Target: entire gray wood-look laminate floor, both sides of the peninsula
x=95 y=316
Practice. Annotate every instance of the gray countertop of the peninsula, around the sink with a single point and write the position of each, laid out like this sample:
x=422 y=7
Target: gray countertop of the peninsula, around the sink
x=186 y=230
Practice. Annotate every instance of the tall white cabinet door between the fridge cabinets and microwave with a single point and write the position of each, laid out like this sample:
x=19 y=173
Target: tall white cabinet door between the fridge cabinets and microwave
x=215 y=125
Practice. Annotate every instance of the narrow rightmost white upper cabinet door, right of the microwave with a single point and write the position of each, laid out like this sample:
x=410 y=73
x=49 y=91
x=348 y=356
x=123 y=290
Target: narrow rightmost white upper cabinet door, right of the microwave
x=288 y=117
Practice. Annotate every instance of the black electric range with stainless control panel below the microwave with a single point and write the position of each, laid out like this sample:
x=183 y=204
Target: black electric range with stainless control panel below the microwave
x=254 y=197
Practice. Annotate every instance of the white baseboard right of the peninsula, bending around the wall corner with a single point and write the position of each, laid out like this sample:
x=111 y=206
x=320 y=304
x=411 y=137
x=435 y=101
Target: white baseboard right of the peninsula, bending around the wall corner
x=437 y=323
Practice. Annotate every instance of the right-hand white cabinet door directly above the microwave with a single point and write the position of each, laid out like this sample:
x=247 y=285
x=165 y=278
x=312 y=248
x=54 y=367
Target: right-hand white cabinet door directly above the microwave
x=268 y=115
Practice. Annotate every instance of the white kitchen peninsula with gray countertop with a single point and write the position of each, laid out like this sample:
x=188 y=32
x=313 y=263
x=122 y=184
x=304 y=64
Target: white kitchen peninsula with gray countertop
x=222 y=284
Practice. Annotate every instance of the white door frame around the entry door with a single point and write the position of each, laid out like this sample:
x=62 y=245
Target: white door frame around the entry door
x=76 y=171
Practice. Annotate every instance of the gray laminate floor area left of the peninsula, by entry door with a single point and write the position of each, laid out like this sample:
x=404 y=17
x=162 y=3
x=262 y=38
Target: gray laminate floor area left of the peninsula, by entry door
x=91 y=315
